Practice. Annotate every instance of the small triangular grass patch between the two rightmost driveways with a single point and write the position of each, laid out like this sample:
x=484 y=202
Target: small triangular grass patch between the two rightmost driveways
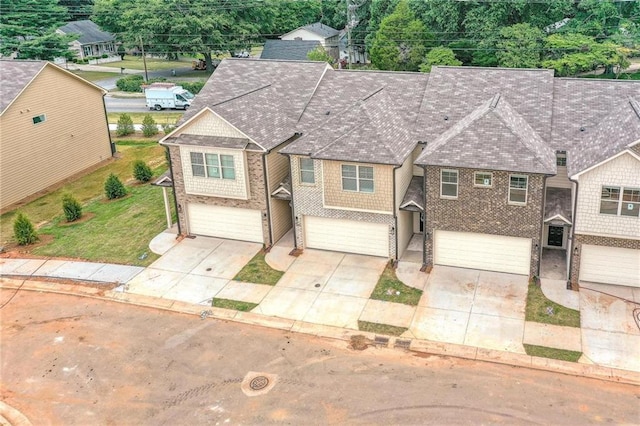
x=541 y=309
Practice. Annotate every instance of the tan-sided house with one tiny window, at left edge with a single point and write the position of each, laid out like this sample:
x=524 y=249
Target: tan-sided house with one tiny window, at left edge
x=53 y=124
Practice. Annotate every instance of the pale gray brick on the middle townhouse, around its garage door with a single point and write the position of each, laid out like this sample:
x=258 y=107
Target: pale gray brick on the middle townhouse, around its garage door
x=307 y=200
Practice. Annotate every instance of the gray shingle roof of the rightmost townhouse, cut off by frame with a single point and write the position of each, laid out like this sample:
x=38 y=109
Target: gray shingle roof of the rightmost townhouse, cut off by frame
x=593 y=119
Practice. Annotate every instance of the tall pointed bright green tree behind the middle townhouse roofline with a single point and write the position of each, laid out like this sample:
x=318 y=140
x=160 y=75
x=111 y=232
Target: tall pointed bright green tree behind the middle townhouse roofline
x=401 y=42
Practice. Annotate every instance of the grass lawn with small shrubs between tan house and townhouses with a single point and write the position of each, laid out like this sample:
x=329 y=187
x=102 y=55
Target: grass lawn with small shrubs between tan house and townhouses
x=118 y=231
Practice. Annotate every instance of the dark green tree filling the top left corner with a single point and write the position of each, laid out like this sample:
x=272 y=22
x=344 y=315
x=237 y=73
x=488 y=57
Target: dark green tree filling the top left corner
x=27 y=27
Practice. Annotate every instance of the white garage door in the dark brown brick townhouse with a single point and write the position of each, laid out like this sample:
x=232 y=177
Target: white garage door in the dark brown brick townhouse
x=483 y=251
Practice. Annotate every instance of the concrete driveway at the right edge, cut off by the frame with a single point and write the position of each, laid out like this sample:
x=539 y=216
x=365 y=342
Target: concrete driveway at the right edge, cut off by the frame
x=610 y=334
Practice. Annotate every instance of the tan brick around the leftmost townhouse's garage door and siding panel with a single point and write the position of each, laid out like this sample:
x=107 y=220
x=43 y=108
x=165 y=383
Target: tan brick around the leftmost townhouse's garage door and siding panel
x=256 y=199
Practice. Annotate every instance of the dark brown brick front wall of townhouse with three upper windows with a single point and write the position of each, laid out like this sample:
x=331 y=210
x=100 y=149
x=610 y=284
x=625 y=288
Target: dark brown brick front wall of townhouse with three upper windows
x=484 y=210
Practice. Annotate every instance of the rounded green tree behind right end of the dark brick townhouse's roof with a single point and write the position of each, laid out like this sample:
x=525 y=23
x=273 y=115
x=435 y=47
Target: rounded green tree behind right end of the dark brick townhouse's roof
x=520 y=46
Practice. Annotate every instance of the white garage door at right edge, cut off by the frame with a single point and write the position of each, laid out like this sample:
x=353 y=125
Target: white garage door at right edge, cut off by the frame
x=610 y=265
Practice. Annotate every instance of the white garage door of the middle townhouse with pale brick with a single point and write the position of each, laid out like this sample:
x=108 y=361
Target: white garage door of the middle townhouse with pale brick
x=347 y=235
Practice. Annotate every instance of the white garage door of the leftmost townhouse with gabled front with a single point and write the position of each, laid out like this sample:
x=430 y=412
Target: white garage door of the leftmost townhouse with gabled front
x=225 y=222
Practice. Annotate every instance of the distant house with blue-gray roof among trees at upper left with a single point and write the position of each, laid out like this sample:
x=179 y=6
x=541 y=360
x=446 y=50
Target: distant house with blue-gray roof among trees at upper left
x=91 y=41
